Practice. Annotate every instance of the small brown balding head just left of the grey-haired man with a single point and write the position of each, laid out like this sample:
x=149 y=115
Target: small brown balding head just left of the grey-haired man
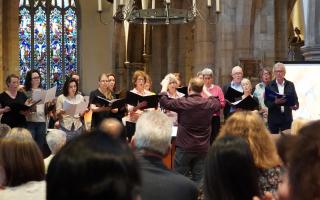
x=112 y=127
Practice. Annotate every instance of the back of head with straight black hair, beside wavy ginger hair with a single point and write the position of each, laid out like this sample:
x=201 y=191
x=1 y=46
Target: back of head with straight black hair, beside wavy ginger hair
x=230 y=172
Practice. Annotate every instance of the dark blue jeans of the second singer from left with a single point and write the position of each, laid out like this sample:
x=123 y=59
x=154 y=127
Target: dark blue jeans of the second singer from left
x=38 y=132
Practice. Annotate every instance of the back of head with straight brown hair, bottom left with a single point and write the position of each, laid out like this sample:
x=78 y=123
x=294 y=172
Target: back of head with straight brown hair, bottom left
x=20 y=158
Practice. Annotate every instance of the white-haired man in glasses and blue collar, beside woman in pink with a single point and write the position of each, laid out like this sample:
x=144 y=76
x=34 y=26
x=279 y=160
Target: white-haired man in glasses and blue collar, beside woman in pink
x=237 y=75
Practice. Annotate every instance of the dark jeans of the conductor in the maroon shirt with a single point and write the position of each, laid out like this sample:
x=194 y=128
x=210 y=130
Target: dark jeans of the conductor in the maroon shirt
x=185 y=162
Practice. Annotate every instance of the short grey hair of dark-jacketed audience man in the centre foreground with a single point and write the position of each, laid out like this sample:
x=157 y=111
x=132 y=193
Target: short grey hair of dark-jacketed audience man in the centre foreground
x=153 y=132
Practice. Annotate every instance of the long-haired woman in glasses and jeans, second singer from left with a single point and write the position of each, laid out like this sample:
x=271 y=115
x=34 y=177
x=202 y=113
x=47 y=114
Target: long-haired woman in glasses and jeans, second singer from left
x=36 y=121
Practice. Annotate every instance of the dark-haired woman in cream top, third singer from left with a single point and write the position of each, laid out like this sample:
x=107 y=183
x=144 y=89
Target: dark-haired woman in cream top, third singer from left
x=72 y=125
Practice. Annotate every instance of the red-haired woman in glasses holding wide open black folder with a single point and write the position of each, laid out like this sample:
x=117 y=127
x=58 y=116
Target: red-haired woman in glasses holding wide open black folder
x=138 y=80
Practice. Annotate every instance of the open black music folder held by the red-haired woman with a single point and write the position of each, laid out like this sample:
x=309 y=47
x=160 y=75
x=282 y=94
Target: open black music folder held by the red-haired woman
x=134 y=99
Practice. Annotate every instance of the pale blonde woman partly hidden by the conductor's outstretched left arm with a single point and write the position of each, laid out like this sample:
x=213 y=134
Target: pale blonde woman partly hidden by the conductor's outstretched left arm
x=169 y=85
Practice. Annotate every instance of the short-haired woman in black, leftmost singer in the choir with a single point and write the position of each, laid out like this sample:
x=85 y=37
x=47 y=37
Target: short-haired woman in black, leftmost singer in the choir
x=12 y=116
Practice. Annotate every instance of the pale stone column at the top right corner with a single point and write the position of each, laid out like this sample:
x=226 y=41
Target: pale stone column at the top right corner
x=311 y=50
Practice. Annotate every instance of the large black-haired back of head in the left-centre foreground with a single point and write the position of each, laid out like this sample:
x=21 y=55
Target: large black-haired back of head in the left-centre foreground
x=93 y=166
